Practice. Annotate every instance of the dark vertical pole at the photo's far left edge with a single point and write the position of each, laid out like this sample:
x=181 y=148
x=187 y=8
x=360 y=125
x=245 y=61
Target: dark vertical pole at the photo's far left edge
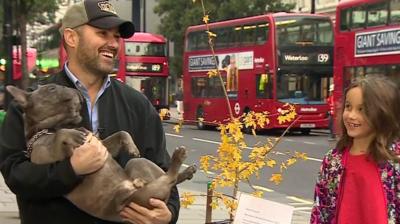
x=8 y=47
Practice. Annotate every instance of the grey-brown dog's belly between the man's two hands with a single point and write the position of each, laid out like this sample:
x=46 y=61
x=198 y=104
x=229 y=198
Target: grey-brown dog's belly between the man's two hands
x=103 y=193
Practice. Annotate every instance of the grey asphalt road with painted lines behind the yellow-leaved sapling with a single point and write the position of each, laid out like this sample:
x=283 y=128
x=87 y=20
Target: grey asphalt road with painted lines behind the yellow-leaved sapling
x=297 y=188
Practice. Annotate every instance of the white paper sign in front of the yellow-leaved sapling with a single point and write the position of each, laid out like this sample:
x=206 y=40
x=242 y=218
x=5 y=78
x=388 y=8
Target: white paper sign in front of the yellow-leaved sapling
x=254 y=210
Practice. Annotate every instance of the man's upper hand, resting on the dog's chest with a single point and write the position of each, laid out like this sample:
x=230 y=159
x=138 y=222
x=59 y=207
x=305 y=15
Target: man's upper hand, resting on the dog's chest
x=89 y=157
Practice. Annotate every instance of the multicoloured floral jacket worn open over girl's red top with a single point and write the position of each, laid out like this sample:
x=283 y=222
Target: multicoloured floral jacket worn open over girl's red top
x=327 y=188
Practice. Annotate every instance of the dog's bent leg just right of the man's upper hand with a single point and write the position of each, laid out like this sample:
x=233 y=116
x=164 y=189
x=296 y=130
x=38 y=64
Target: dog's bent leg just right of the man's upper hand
x=121 y=140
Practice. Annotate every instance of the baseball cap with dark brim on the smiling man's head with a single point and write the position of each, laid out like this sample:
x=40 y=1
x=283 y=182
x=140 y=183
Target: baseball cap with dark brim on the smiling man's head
x=96 y=13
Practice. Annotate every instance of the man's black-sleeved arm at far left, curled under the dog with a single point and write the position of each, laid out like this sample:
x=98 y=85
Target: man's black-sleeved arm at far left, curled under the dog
x=23 y=177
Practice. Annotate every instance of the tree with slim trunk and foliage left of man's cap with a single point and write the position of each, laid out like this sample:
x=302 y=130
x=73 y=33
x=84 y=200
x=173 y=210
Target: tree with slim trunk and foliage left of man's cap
x=30 y=11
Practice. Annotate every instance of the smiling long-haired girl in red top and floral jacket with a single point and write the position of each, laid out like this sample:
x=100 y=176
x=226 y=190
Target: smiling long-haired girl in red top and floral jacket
x=358 y=180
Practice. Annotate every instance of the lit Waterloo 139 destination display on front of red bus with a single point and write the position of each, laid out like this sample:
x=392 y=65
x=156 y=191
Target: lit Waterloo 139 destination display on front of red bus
x=295 y=58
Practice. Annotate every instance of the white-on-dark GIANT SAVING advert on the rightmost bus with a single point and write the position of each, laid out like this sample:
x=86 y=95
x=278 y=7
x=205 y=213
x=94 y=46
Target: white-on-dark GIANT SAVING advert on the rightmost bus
x=380 y=42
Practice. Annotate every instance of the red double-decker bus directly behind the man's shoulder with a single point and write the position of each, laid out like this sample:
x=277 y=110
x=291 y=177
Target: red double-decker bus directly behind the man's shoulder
x=143 y=65
